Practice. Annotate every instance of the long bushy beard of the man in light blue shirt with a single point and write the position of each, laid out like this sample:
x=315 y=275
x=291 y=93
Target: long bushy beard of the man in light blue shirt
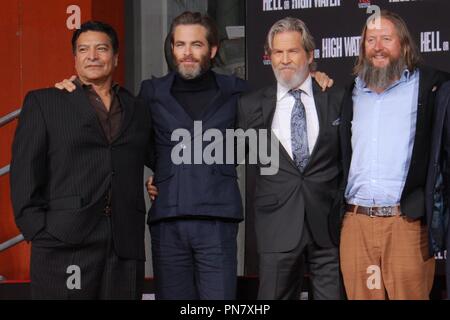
x=381 y=78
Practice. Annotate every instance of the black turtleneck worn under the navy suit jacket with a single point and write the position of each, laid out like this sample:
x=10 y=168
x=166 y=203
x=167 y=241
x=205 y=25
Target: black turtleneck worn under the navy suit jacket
x=195 y=95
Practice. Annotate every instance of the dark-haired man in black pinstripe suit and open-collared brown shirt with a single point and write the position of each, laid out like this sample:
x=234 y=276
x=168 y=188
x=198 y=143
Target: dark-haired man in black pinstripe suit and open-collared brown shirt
x=76 y=179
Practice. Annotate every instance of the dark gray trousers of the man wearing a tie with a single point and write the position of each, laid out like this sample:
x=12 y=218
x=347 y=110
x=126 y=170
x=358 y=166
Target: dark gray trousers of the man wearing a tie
x=281 y=273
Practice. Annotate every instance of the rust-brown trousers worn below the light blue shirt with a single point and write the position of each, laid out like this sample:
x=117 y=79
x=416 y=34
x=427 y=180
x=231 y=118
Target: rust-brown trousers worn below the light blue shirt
x=385 y=258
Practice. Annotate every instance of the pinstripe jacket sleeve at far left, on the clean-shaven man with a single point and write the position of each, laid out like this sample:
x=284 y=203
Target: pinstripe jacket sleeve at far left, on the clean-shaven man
x=28 y=176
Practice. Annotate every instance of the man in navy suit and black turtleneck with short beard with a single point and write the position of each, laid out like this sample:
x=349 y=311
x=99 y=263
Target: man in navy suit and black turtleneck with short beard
x=194 y=219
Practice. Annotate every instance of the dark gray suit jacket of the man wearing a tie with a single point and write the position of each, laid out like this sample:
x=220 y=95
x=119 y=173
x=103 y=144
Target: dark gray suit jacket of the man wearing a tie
x=284 y=201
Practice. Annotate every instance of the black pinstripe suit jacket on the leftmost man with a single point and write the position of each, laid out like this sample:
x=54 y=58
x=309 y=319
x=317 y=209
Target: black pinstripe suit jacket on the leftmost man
x=62 y=165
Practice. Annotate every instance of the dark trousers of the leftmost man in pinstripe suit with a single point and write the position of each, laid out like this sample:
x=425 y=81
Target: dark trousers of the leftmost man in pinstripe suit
x=60 y=271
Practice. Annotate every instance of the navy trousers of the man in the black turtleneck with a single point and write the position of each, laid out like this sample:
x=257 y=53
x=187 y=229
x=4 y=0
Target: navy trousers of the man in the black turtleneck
x=195 y=259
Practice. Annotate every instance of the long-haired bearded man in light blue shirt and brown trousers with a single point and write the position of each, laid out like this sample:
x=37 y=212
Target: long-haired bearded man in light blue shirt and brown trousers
x=385 y=137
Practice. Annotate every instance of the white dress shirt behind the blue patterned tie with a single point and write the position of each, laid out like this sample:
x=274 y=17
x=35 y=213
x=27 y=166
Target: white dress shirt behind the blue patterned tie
x=281 y=124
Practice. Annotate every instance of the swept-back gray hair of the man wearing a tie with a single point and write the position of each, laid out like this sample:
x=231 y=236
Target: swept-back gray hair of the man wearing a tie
x=290 y=24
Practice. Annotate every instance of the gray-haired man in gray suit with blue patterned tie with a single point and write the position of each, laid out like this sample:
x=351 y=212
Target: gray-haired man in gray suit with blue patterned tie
x=294 y=215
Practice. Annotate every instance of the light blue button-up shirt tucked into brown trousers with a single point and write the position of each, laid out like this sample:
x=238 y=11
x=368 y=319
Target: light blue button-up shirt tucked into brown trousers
x=383 y=132
